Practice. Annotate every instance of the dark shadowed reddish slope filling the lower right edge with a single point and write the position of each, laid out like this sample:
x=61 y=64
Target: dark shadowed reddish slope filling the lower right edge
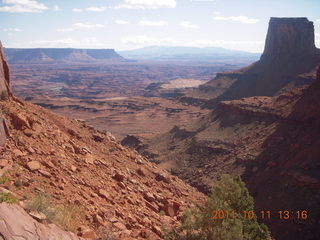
x=288 y=170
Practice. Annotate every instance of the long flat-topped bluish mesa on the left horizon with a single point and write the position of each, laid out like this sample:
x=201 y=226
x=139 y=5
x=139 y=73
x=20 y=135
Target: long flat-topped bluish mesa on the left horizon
x=36 y=55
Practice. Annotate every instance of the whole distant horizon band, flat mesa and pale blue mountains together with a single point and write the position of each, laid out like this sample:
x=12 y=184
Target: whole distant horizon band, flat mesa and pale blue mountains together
x=157 y=53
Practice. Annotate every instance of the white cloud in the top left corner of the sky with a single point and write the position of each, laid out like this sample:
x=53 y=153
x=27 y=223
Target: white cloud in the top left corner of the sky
x=23 y=6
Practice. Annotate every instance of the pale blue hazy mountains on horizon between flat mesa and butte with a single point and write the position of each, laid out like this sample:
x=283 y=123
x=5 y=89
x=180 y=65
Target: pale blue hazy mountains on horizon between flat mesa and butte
x=186 y=53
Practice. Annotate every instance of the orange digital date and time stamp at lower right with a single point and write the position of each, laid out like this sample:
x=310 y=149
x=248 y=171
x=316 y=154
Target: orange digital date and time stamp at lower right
x=262 y=214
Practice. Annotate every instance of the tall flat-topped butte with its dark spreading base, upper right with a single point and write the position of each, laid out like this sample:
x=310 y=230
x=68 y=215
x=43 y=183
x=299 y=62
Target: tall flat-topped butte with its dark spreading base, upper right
x=289 y=54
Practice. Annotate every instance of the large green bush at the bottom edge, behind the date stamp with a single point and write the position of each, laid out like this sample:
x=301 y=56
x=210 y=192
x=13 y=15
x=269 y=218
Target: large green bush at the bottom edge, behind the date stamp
x=230 y=194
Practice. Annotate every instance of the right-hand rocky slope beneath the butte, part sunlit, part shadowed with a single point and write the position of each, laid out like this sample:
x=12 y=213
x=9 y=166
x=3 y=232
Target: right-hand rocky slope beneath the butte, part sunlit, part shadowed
x=272 y=142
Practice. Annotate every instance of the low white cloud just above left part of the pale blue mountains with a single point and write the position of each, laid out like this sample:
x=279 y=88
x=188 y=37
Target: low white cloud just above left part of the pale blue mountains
x=145 y=40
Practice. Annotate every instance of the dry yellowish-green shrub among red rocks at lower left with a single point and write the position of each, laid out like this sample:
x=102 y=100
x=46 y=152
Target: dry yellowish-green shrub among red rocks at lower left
x=66 y=216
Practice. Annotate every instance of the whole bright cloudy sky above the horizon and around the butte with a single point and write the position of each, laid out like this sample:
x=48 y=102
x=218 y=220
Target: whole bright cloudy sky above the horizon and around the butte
x=130 y=24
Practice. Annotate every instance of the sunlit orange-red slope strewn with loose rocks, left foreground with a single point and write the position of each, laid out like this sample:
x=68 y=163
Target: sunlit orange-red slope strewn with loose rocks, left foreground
x=115 y=188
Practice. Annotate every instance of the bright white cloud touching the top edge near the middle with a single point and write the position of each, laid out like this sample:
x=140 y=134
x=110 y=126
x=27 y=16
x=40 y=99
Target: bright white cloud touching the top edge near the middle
x=147 y=4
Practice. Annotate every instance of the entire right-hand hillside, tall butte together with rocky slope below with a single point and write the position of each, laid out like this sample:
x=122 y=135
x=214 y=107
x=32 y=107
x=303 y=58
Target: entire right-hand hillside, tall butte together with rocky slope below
x=271 y=141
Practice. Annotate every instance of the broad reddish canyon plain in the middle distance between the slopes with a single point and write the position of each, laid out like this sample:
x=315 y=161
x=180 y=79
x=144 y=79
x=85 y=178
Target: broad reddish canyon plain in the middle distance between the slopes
x=124 y=98
